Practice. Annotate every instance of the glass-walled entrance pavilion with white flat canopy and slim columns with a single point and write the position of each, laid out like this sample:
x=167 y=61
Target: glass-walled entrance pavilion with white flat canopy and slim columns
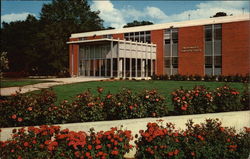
x=115 y=58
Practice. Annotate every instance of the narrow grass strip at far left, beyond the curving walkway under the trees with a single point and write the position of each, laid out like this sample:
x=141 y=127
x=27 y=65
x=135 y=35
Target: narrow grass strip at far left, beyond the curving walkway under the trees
x=20 y=82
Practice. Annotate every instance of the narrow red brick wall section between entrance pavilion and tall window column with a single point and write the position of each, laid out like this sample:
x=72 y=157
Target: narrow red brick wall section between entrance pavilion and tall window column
x=157 y=38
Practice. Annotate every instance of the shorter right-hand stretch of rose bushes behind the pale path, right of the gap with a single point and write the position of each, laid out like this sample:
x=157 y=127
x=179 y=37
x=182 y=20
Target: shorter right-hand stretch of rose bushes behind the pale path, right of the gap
x=201 y=100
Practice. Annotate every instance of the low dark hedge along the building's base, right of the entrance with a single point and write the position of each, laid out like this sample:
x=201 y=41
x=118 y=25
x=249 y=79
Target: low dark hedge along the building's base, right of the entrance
x=220 y=78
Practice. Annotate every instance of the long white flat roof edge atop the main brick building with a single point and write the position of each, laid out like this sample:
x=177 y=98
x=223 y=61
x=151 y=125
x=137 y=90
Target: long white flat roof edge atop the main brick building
x=215 y=20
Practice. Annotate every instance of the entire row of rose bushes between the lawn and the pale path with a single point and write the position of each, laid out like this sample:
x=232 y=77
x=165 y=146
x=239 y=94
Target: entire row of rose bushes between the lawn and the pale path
x=40 y=109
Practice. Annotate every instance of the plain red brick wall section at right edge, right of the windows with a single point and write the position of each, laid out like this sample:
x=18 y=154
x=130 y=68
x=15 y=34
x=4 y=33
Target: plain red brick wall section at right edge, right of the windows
x=236 y=48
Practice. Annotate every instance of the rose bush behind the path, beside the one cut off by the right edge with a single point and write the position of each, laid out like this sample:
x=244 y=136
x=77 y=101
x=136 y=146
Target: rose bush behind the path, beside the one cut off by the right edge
x=227 y=99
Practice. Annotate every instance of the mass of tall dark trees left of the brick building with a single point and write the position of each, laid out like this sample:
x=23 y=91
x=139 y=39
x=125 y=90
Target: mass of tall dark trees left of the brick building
x=40 y=44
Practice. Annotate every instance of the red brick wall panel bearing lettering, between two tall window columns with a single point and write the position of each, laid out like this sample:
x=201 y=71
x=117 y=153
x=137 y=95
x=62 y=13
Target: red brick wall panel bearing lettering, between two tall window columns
x=191 y=63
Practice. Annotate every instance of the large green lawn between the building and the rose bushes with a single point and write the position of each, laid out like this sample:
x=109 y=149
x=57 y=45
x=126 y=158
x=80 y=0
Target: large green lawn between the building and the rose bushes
x=69 y=91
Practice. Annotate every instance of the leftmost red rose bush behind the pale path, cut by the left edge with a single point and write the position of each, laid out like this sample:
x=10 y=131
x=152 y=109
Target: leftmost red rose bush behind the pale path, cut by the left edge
x=22 y=109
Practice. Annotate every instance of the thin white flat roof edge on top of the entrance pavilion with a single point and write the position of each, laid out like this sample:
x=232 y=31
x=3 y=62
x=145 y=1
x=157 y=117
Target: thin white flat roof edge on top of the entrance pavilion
x=109 y=40
